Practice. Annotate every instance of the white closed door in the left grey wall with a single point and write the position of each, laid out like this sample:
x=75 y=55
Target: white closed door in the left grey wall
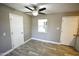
x=16 y=26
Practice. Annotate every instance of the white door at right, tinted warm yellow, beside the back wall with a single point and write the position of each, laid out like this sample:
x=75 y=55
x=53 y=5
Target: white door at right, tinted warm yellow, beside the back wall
x=69 y=30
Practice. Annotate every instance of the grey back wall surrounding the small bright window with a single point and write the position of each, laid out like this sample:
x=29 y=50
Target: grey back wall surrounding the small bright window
x=54 y=22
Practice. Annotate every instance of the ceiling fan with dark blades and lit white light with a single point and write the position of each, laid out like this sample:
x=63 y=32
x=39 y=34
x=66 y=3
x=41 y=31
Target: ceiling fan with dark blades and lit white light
x=35 y=10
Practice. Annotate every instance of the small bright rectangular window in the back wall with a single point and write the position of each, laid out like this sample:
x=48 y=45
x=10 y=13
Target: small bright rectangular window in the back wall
x=42 y=25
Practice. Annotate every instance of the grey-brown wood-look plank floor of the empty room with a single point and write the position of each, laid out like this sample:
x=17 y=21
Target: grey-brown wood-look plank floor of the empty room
x=38 y=48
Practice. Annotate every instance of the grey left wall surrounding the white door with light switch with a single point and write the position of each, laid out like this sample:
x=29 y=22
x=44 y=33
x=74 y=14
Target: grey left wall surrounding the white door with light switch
x=5 y=41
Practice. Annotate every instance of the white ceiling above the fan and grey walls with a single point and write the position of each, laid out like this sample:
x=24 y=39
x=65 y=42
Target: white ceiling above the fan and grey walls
x=50 y=7
